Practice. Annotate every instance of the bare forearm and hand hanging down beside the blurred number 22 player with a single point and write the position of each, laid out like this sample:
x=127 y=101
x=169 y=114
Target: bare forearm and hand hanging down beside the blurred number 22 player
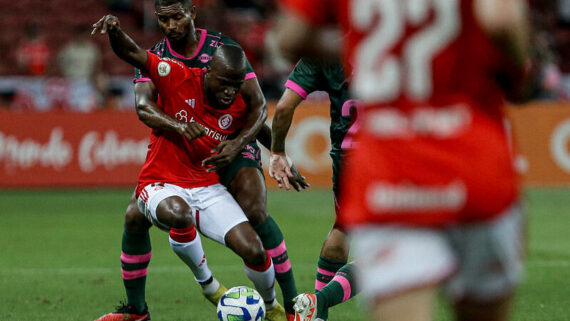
x=279 y=167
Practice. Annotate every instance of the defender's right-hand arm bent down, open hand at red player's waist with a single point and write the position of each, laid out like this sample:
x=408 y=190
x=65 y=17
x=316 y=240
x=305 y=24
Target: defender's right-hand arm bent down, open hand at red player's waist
x=255 y=118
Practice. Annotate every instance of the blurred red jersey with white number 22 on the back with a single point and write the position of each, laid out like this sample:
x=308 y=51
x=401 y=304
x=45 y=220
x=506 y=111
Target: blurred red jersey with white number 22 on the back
x=432 y=149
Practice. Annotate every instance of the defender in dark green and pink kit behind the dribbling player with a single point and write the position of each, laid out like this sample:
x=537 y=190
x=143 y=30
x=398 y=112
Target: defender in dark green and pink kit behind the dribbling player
x=237 y=160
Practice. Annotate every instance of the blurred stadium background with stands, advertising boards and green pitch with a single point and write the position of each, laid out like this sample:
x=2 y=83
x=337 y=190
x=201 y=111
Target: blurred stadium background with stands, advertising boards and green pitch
x=71 y=147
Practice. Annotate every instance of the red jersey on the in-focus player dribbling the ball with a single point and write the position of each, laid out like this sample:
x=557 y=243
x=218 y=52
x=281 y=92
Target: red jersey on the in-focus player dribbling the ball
x=171 y=158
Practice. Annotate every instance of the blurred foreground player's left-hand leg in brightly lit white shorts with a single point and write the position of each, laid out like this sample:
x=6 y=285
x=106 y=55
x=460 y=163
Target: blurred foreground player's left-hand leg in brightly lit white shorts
x=399 y=269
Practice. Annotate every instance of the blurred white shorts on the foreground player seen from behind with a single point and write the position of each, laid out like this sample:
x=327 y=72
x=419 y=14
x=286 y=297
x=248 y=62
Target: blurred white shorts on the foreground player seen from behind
x=480 y=262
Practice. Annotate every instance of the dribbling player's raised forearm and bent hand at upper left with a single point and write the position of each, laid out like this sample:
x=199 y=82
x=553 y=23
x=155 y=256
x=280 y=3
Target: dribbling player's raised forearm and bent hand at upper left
x=123 y=46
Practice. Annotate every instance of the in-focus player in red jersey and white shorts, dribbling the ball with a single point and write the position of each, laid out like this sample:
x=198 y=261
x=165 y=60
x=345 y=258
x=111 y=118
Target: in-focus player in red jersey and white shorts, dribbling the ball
x=175 y=189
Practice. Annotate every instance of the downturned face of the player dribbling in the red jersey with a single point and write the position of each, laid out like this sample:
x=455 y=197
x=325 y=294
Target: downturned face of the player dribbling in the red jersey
x=221 y=87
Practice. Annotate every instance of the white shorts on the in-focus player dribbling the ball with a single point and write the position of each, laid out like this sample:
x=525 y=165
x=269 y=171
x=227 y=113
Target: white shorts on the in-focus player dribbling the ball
x=214 y=210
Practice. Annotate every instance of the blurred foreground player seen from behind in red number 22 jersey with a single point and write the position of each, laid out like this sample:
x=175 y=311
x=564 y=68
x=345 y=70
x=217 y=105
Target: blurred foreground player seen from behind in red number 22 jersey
x=430 y=194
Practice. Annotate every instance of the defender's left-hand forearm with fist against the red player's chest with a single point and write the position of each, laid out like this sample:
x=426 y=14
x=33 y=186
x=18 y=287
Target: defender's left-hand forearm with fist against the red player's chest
x=154 y=117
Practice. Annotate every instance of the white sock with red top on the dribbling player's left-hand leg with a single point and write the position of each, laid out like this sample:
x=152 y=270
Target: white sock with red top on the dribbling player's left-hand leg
x=193 y=255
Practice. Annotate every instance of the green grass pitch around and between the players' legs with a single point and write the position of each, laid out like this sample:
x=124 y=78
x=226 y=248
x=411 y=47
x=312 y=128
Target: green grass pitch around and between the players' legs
x=59 y=257
